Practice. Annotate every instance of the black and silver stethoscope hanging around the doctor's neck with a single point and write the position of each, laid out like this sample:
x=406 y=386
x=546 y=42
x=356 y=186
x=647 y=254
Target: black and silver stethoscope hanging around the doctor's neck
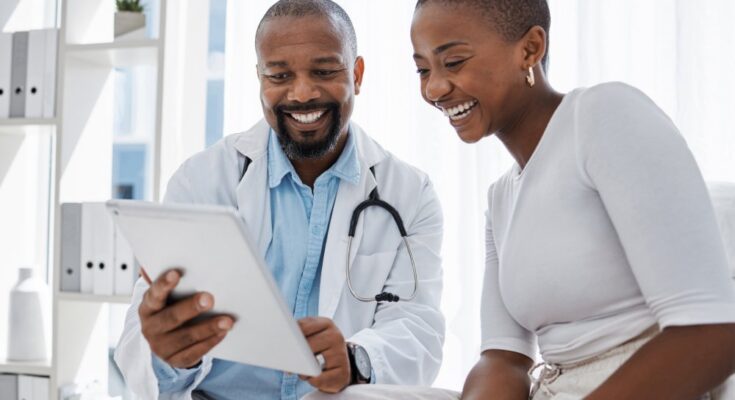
x=373 y=200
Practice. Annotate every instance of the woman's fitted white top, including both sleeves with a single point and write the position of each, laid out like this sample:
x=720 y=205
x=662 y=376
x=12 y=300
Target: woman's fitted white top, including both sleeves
x=607 y=231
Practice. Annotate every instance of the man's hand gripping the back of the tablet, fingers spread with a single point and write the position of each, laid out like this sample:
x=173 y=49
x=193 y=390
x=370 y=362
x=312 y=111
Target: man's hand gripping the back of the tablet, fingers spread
x=165 y=329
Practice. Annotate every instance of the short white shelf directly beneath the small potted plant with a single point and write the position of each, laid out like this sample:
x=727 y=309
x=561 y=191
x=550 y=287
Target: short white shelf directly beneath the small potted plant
x=117 y=54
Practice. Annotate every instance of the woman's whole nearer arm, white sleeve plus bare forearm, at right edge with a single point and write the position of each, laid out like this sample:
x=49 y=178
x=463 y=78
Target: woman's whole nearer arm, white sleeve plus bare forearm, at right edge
x=654 y=194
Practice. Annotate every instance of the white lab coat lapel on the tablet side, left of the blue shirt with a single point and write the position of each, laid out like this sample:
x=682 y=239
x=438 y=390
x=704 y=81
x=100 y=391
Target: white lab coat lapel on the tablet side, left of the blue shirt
x=253 y=194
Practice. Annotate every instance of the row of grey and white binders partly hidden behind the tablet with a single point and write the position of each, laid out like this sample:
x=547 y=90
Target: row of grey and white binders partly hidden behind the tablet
x=95 y=256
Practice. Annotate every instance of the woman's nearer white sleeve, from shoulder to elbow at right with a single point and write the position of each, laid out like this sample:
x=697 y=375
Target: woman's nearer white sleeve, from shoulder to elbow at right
x=634 y=157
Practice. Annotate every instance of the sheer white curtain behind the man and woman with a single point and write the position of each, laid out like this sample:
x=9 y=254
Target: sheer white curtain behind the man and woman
x=675 y=51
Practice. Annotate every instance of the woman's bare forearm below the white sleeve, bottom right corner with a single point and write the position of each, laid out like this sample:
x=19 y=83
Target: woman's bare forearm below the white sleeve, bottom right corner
x=680 y=363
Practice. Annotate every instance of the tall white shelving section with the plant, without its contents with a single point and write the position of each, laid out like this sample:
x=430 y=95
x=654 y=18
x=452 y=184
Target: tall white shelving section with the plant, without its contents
x=88 y=60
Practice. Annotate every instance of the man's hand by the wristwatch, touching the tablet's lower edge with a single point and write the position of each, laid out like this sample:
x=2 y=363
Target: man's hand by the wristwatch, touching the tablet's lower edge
x=325 y=338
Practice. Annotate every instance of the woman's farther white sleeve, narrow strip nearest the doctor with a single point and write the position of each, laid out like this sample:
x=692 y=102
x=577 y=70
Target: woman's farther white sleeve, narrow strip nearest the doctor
x=500 y=331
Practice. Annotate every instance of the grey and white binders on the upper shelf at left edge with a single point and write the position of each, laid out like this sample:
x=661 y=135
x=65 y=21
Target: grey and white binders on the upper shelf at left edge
x=28 y=74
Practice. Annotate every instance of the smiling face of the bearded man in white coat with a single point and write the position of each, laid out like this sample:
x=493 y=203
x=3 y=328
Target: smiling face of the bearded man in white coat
x=309 y=77
